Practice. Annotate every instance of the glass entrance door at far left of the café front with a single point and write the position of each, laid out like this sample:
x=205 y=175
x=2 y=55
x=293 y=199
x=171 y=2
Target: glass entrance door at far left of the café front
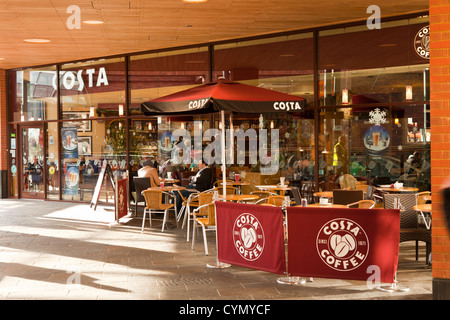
x=32 y=162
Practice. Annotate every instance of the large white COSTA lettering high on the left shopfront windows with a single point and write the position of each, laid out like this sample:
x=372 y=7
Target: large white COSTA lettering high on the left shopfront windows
x=74 y=80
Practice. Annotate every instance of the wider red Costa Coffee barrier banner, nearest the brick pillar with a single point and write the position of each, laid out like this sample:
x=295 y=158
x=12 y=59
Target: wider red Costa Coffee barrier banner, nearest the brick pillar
x=343 y=243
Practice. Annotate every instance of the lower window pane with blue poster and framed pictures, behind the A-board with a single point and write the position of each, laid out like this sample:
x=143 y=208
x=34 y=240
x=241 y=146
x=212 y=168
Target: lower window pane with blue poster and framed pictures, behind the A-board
x=85 y=152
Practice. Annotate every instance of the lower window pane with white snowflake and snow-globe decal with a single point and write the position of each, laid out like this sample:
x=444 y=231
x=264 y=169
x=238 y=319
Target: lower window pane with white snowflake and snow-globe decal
x=380 y=143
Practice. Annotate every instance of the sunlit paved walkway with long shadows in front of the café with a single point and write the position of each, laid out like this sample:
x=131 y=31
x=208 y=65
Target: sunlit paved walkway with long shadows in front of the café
x=57 y=250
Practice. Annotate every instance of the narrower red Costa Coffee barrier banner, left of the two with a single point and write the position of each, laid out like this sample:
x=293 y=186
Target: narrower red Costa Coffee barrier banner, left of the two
x=251 y=236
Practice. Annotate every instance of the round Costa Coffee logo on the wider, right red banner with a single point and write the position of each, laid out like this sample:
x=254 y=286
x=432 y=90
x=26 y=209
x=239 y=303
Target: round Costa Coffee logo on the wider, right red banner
x=342 y=244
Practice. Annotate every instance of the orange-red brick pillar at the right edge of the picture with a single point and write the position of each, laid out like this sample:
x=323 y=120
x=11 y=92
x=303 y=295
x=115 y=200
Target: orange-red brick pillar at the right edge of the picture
x=440 y=141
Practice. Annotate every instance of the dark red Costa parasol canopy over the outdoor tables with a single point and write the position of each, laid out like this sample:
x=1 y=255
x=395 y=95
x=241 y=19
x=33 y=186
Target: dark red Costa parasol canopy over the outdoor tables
x=224 y=95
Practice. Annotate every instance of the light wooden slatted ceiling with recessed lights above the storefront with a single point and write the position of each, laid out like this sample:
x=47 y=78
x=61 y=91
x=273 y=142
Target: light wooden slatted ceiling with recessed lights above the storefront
x=139 y=25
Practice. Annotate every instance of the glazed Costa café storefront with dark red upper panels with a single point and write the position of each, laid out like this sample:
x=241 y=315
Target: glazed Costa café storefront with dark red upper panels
x=369 y=86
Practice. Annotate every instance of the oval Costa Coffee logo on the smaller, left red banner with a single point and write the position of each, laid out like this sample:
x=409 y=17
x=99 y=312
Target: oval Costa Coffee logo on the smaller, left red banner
x=248 y=236
